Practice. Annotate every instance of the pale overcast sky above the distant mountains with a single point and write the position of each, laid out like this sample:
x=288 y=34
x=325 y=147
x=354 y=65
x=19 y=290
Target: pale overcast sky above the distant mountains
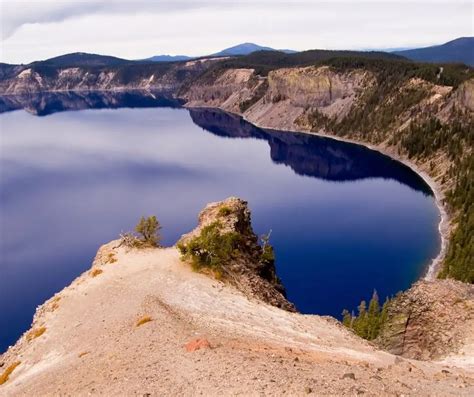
x=35 y=30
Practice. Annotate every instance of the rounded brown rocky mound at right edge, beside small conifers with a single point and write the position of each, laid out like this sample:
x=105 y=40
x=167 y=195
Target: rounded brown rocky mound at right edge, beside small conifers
x=430 y=320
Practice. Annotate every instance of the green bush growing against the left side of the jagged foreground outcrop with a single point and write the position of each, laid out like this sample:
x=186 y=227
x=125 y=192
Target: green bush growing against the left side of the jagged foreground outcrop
x=212 y=249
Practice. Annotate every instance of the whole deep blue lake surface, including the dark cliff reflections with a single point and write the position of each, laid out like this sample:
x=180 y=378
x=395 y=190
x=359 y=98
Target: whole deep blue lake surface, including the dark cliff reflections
x=344 y=219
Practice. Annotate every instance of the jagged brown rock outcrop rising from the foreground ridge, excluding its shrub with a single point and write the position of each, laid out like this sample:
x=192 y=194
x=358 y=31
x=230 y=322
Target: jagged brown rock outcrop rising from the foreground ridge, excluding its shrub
x=247 y=271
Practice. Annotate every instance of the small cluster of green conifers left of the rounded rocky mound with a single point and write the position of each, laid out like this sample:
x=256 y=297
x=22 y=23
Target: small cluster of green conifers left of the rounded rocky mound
x=368 y=322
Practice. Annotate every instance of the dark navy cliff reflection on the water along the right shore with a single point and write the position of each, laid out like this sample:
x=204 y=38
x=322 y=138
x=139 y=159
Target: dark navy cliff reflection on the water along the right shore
x=320 y=158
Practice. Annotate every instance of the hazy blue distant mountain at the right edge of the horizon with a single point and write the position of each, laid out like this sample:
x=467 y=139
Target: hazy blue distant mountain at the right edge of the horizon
x=458 y=50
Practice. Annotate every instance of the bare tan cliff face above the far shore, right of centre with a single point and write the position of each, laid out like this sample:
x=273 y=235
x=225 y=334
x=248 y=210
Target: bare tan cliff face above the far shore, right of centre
x=279 y=100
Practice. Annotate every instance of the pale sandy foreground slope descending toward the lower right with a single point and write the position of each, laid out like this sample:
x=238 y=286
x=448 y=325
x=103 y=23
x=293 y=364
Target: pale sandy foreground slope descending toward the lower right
x=142 y=322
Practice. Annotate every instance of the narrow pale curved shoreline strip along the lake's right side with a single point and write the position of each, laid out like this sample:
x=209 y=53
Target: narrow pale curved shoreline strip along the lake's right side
x=444 y=225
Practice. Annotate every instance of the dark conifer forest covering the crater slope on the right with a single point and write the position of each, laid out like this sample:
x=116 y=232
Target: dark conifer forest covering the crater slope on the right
x=378 y=115
